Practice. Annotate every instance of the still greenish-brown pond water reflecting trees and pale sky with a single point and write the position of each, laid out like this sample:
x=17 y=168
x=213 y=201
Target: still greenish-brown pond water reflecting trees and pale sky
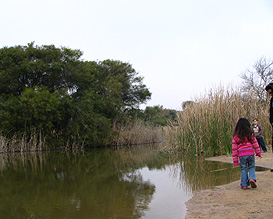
x=128 y=183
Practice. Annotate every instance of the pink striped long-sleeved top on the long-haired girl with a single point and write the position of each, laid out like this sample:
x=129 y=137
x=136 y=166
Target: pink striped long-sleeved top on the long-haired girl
x=245 y=148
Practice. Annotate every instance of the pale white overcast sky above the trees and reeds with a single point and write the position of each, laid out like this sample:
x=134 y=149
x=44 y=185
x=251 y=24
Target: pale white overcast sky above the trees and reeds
x=181 y=48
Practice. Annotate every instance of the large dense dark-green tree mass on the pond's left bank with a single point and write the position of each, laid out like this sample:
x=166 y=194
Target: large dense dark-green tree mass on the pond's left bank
x=50 y=90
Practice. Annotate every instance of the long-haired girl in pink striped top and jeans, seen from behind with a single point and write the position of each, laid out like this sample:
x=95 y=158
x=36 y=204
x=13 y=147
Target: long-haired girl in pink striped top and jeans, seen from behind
x=243 y=145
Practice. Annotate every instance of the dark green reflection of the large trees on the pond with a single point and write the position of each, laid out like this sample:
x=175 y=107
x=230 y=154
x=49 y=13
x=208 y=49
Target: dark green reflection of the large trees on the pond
x=58 y=185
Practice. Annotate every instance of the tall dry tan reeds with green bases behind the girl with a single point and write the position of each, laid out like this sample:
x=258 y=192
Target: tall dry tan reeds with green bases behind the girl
x=207 y=124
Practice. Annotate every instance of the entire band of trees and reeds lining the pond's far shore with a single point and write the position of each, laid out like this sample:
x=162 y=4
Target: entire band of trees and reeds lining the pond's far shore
x=52 y=99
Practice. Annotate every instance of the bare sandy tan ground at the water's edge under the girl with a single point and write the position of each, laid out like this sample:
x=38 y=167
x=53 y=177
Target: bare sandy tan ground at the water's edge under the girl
x=230 y=201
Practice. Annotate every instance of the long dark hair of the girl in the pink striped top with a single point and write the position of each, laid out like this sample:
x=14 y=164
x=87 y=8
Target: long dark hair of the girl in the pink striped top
x=243 y=130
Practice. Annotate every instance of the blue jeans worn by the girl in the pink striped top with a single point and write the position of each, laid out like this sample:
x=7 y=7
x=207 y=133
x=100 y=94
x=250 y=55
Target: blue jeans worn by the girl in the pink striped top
x=247 y=164
